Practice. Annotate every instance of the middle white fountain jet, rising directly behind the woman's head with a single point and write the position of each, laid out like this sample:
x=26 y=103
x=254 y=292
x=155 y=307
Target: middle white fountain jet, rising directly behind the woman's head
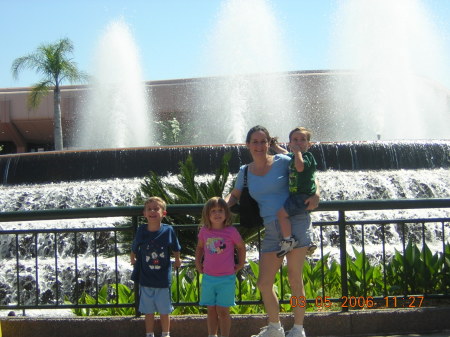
x=245 y=47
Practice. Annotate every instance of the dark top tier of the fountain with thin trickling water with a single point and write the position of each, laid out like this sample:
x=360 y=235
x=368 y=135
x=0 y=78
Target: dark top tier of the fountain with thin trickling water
x=136 y=162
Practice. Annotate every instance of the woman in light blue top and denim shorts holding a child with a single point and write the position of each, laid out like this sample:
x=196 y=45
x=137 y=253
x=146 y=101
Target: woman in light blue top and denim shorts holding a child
x=268 y=185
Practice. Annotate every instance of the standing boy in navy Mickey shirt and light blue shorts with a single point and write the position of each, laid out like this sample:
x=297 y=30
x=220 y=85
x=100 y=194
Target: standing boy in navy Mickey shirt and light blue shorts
x=151 y=251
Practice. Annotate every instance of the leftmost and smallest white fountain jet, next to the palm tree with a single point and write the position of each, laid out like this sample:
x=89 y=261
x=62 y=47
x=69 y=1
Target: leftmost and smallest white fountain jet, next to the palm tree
x=117 y=113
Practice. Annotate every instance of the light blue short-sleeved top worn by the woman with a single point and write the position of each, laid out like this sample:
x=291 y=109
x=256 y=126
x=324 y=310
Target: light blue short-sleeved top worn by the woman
x=270 y=190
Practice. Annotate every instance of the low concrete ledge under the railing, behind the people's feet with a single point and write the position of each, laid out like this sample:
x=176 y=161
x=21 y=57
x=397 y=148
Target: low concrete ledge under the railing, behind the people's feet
x=354 y=323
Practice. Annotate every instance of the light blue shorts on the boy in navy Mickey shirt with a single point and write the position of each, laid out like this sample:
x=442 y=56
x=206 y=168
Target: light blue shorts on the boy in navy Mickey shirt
x=155 y=300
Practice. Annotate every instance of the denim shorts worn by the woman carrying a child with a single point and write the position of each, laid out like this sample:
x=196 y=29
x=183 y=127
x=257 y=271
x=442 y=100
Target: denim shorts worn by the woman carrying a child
x=301 y=229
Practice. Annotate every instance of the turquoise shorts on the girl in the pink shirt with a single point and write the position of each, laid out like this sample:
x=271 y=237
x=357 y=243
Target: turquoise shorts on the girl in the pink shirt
x=218 y=290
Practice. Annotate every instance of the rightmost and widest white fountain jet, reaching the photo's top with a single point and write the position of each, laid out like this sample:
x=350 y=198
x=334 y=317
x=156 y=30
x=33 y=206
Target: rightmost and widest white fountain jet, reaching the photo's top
x=396 y=53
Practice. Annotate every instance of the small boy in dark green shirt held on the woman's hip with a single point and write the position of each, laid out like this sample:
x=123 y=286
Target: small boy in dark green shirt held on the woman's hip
x=302 y=175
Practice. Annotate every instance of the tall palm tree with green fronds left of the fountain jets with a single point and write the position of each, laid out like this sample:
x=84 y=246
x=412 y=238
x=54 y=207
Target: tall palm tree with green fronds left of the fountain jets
x=53 y=62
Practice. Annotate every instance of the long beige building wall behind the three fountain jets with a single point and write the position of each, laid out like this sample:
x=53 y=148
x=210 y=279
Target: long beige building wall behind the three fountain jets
x=21 y=128
